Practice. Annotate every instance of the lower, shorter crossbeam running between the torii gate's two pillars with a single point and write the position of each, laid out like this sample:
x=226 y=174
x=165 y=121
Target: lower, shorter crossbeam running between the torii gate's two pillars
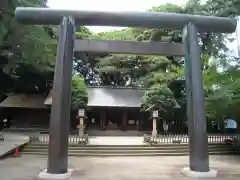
x=129 y=47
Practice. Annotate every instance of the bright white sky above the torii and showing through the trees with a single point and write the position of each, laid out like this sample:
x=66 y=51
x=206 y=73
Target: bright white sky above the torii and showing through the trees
x=124 y=5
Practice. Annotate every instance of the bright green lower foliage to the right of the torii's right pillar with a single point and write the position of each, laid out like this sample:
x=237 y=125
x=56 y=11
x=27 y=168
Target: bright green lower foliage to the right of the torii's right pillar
x=225 y=99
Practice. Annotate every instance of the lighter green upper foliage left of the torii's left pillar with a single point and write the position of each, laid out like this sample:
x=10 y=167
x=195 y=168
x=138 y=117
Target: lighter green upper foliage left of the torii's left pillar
x=28 y=44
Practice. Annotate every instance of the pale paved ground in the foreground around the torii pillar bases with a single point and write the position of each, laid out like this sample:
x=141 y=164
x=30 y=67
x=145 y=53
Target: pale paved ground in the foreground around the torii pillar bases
x=122 y=168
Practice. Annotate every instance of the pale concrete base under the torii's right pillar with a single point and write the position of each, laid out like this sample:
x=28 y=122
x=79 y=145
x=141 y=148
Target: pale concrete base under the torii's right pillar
x=210 y=174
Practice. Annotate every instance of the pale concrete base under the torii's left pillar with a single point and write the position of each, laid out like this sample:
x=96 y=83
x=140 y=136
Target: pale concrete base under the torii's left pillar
x=45 y=175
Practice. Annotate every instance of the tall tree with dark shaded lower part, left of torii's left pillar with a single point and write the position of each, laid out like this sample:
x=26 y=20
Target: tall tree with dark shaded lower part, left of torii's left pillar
x=27 y=52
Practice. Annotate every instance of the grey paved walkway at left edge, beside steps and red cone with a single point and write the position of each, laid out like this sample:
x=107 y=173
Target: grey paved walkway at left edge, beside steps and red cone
x=11 y=141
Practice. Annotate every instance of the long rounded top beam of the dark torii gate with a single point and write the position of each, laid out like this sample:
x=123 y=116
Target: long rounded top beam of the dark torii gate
x=158 y=20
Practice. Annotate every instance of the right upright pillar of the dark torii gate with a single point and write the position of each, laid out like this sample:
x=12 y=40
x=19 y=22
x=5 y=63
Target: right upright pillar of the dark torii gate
x=198 y=141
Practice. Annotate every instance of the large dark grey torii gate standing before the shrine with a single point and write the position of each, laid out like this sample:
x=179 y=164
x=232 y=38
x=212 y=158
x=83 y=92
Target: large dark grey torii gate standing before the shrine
x=60 y=112
